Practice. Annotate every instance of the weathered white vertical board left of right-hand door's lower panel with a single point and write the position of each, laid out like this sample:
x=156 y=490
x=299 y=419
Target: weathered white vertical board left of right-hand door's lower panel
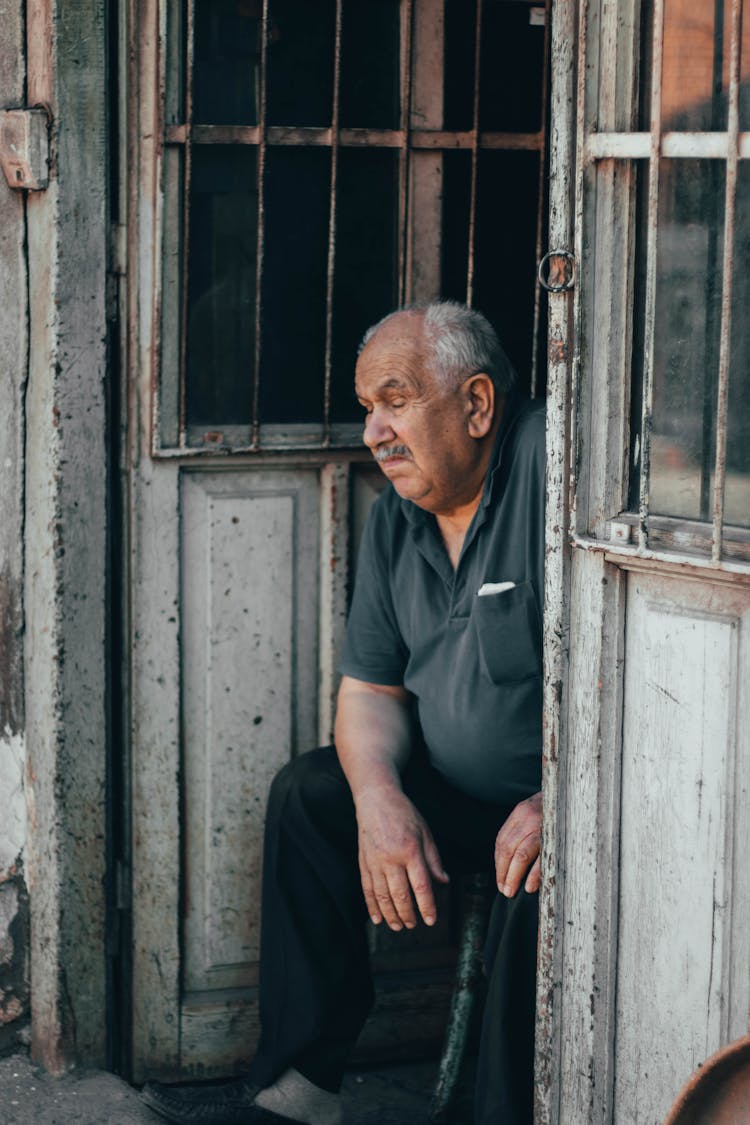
x=588 y=924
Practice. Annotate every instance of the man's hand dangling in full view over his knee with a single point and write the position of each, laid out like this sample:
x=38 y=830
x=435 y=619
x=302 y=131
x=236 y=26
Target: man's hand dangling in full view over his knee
x=399 y=859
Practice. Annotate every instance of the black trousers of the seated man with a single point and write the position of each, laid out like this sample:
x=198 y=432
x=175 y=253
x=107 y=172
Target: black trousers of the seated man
x=317 y=992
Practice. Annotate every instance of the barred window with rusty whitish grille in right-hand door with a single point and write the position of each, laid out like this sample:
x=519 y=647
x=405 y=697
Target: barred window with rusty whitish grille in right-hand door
x=683 y=145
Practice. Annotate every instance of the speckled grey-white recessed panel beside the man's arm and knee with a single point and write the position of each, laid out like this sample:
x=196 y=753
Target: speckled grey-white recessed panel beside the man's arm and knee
x=249 y=610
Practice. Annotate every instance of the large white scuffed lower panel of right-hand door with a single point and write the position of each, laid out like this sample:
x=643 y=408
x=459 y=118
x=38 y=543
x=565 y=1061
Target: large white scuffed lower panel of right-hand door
x=682 y=898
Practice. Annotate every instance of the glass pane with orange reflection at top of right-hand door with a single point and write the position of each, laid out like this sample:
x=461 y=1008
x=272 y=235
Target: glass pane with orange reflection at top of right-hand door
x=697 y=53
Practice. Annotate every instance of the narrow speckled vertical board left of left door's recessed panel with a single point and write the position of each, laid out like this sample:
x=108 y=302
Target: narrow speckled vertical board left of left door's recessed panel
x=156 y=770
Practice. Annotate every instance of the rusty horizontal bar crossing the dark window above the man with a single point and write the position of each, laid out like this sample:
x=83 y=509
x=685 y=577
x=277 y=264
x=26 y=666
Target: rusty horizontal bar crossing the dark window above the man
x=365 y=138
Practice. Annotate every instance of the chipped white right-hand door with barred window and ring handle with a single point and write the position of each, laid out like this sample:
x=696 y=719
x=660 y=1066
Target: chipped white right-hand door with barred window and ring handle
x=646 y=952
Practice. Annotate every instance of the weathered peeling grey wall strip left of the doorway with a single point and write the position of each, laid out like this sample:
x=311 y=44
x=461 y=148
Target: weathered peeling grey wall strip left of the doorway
x=53 y=542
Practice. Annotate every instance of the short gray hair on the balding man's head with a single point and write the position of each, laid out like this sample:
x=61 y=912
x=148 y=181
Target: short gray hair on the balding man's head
x=459 y=343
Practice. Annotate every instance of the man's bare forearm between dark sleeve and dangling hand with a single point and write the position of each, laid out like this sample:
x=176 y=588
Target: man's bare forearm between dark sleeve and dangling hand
x=373 y=734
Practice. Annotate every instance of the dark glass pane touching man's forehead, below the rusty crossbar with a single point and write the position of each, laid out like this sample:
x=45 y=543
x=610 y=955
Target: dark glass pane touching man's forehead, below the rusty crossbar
x=366 y=285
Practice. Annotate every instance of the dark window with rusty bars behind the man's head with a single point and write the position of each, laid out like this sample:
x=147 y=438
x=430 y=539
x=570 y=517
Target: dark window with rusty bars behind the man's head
x=293 y=140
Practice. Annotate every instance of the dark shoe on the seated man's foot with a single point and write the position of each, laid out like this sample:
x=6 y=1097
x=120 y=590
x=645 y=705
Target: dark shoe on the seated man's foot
x=224 y=1104
